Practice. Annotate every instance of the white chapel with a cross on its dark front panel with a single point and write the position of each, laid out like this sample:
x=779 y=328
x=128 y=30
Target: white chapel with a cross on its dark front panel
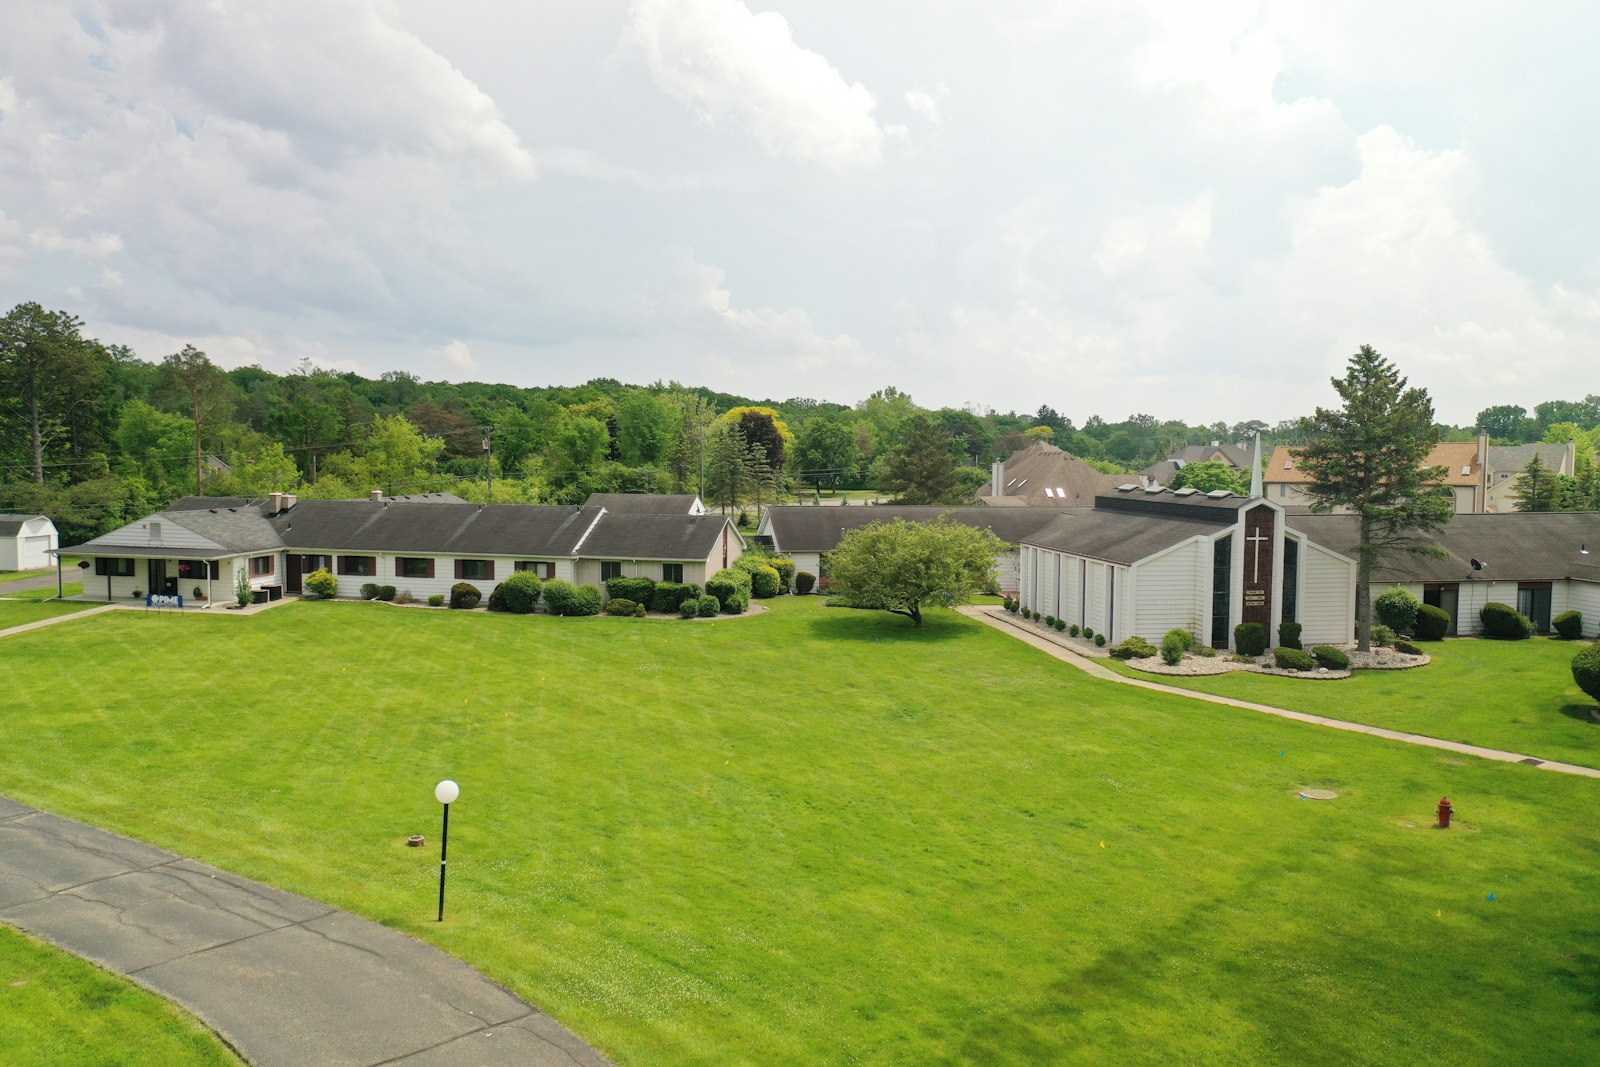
x=1154 y=561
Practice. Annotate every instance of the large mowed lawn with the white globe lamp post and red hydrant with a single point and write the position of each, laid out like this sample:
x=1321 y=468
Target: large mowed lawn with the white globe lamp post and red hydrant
x=823 y=837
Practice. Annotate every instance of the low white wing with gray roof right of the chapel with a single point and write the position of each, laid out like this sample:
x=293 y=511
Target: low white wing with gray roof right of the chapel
x=1542 y=564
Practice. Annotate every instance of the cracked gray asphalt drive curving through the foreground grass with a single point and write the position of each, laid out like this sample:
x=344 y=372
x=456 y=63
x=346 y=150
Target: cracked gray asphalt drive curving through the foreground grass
x=281 y=978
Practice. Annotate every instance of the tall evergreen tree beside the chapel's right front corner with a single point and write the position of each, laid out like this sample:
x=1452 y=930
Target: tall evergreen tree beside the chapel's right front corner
x=1369 y=457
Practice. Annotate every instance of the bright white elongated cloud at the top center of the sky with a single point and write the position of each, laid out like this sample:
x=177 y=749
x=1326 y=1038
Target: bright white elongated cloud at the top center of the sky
x=734 y=65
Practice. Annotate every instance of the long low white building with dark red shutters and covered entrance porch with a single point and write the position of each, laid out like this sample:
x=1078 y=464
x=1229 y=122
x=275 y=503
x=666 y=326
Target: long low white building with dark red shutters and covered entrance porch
x=423 y=546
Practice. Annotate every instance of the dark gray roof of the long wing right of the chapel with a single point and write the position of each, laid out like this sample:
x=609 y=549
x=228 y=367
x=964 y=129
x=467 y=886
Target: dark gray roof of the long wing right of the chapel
x=1519 y=548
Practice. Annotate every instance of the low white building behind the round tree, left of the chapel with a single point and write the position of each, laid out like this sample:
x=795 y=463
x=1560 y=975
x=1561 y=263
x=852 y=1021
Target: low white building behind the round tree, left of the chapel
x=806 y=533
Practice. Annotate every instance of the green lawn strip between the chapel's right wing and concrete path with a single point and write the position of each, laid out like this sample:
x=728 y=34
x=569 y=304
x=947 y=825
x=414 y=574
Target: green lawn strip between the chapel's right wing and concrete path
x=1500 y=695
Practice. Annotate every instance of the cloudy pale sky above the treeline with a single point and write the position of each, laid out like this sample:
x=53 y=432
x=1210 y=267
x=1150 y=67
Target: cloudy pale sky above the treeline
x=1113 y=207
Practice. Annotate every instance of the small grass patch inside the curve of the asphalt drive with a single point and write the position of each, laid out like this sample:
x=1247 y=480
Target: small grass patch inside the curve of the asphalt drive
x=62 y=1012
